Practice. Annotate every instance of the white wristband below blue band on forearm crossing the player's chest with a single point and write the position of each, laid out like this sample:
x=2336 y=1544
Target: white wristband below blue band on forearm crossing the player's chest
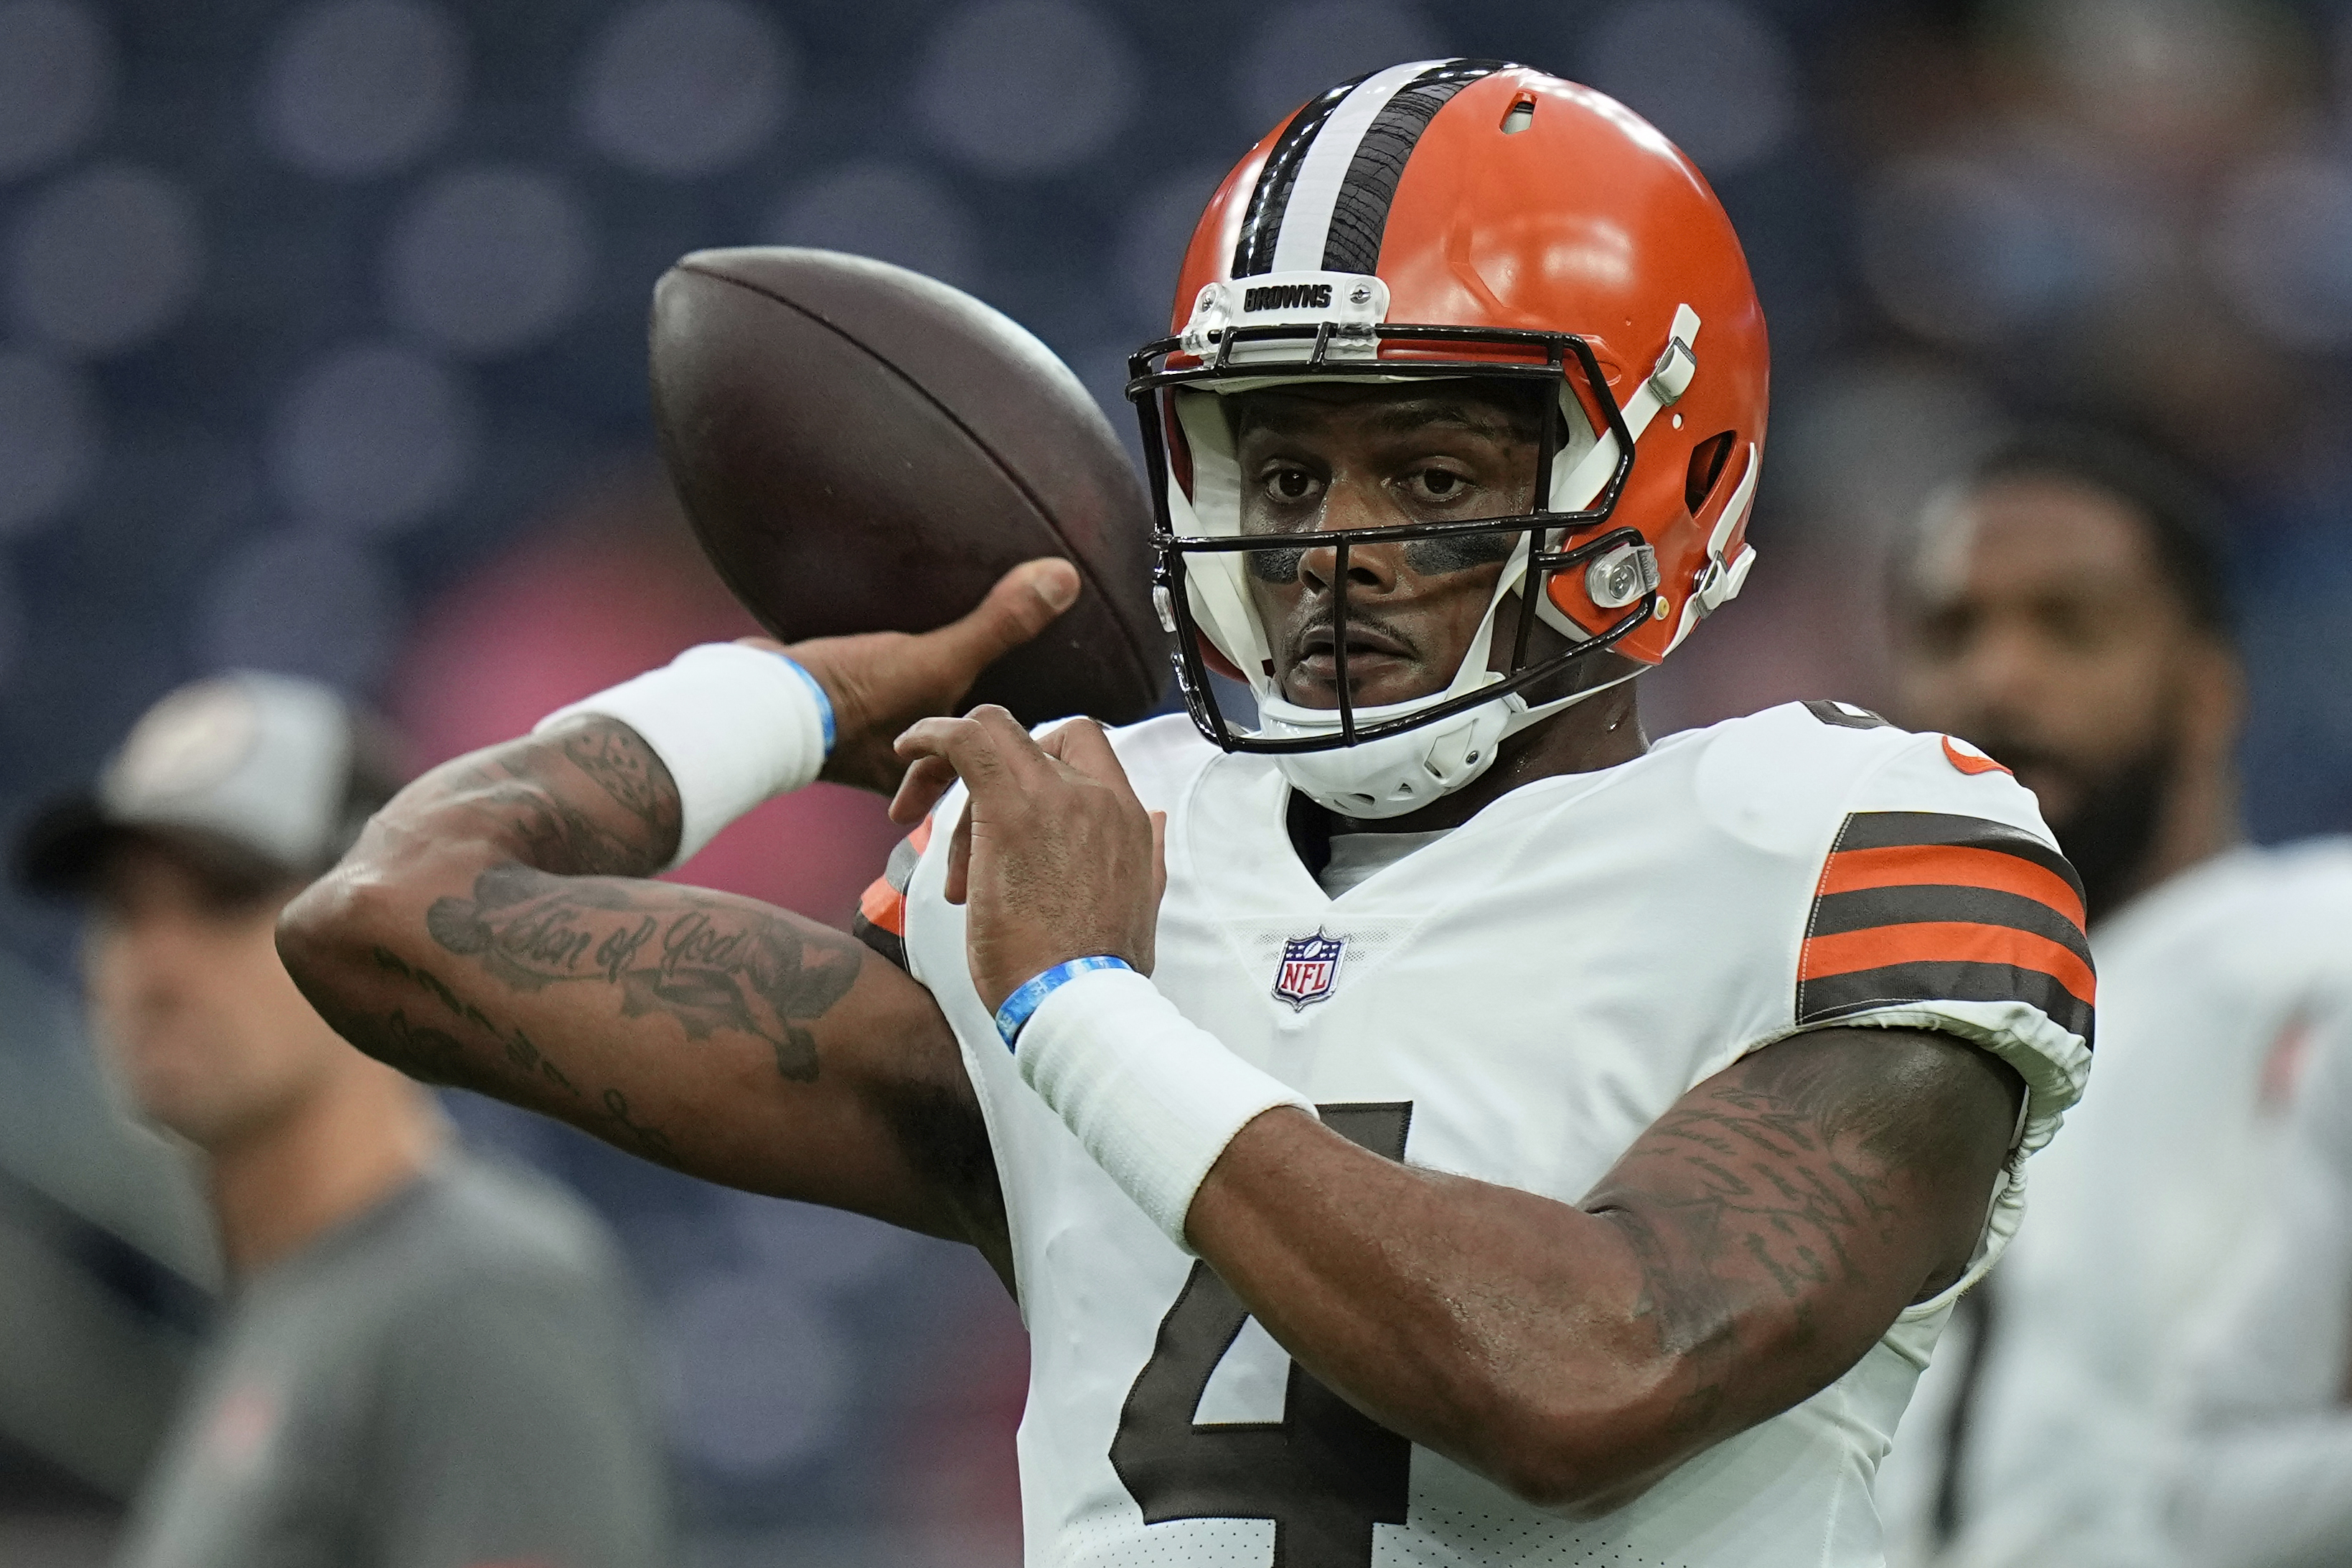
x=1151 y=1097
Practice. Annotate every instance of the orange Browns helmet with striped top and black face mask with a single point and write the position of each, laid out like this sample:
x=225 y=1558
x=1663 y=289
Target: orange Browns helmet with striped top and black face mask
x=1466 y=220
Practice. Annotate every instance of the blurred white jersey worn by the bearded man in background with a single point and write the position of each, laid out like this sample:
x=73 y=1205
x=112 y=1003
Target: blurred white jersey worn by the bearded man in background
x=2210 y=989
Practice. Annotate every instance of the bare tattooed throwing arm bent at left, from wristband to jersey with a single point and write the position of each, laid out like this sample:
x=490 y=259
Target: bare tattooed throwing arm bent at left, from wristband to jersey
x=542 y=887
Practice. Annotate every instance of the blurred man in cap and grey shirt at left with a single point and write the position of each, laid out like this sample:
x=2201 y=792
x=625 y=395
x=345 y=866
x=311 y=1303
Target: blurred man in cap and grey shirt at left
x=425 y=1362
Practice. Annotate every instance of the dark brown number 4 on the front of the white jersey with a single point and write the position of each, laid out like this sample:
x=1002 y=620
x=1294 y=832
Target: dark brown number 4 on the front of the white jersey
x=1325 y=1473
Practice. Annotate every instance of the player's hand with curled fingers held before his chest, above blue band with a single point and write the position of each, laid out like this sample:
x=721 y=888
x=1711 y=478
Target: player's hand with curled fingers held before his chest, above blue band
x=1055 y=857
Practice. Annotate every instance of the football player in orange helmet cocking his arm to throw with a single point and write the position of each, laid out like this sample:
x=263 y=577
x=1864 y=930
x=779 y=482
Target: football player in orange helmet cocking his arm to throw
x=1424 y=1123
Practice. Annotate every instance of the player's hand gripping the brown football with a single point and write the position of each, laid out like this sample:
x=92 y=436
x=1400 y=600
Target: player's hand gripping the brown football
x=881 y=683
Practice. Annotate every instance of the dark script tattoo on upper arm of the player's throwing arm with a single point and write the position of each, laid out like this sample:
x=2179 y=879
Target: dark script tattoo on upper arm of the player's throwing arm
x=707 y=963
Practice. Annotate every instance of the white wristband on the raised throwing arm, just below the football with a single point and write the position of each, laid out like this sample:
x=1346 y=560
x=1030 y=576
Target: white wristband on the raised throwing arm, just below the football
x=733 y=725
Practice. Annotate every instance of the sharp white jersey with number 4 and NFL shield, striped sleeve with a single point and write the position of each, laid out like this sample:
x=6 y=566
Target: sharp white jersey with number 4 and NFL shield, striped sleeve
x=1514 y=1003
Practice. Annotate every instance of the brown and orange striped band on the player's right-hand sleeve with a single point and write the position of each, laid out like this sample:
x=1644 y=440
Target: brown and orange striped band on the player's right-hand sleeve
x=1923 y=906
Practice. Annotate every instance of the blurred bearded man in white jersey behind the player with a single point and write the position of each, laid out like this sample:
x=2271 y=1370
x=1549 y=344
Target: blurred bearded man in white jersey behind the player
x=2066 y=610
